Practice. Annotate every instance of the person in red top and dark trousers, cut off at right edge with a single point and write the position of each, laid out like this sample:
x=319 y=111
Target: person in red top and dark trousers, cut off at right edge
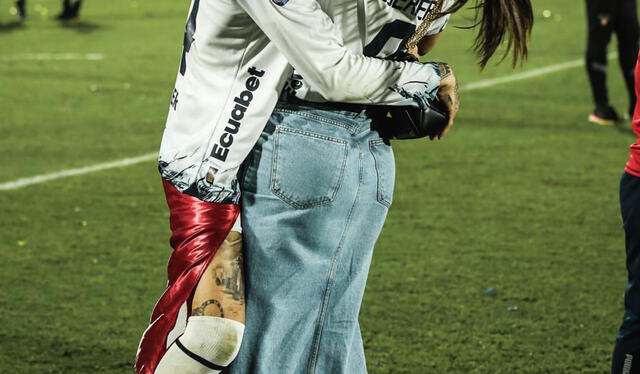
x=627 y=349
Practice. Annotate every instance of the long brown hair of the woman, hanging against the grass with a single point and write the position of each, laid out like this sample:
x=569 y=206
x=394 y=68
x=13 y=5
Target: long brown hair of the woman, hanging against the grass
x=498 y=20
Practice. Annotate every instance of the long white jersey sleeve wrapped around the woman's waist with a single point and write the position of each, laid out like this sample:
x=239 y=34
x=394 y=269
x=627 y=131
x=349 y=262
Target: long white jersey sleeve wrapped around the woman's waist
x=312 y=44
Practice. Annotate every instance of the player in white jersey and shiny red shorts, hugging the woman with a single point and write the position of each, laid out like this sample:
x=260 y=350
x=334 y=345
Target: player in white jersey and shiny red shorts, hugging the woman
x=237 y=56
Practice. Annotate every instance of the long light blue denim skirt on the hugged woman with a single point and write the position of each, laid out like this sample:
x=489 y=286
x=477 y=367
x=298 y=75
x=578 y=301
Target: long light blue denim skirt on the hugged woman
x=315 y=193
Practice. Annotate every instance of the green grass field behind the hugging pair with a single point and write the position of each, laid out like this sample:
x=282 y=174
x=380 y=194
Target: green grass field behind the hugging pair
x=521 y=197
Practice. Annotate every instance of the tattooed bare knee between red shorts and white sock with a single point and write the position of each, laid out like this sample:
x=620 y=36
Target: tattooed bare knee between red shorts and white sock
x=220 y=292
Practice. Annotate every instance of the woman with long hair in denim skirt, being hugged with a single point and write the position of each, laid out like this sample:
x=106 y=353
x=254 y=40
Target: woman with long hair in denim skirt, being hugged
x=316 y=190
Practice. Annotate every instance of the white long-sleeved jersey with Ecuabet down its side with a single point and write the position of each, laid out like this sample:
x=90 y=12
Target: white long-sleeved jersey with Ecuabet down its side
x=238 y=55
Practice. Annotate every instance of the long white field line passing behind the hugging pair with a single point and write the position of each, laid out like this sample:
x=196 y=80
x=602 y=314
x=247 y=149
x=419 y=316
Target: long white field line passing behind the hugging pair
x=24 y=182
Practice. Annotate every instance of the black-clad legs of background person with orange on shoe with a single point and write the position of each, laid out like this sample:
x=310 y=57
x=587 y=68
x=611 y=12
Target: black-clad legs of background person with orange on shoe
x=604 y=18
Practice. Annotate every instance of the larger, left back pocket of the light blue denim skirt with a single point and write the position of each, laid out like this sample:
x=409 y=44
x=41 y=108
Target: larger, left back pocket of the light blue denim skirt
x=307 y=168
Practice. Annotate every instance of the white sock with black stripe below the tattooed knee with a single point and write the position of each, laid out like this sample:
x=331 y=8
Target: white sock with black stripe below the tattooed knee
x=208 y=345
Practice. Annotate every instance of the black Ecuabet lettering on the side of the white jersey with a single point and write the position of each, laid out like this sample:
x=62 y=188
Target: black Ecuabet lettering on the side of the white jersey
x=242 y=101
